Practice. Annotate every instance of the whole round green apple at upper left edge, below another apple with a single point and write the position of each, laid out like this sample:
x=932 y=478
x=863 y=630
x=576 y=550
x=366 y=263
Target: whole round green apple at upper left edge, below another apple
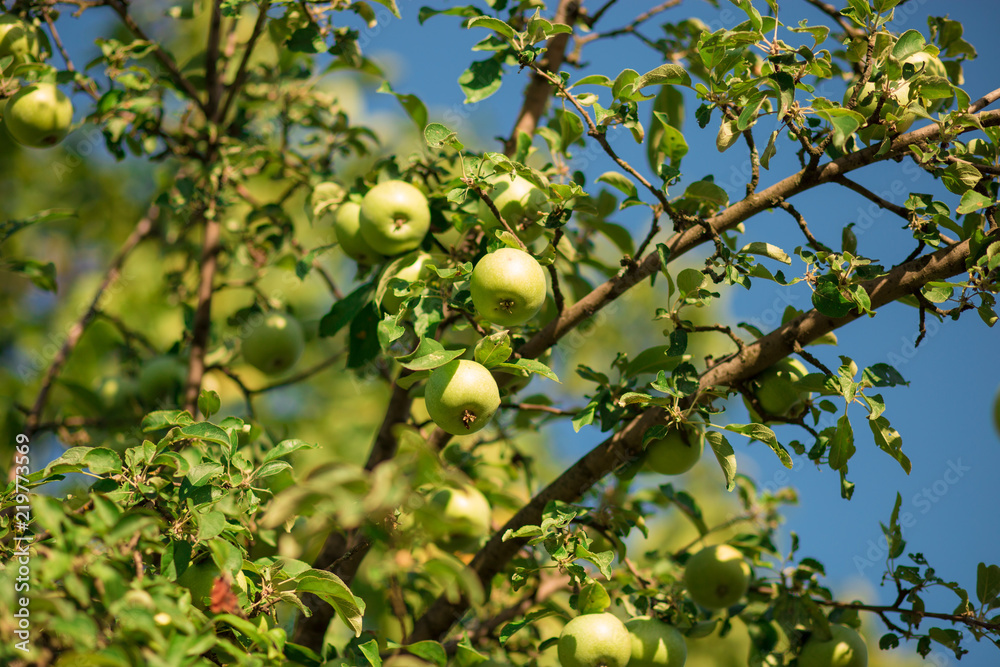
x=38 y=116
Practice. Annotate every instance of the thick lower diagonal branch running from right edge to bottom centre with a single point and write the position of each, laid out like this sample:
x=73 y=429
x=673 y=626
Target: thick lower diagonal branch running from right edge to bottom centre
x=626 y=444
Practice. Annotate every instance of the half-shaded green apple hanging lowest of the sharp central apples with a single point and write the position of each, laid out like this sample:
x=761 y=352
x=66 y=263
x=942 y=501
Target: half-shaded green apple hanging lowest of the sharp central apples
x=461 y=397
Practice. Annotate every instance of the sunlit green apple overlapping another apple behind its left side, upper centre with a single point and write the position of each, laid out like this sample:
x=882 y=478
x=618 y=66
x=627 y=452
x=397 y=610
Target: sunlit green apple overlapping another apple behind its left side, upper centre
x=395 y=217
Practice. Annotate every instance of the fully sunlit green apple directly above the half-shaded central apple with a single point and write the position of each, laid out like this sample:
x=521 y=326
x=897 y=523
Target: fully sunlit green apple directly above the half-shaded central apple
x=508 y=287
